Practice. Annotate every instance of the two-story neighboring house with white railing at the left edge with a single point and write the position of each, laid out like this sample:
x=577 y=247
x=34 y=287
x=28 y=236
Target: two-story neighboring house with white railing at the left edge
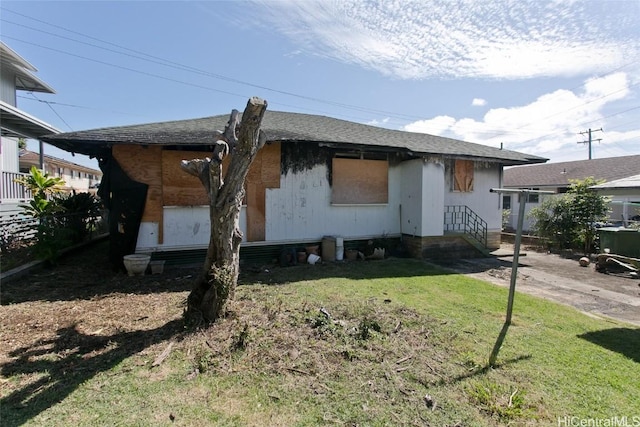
x=16 y=74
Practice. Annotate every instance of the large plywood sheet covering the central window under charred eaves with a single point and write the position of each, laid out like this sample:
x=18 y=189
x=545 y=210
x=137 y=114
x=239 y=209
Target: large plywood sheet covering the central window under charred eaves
x=357 y=181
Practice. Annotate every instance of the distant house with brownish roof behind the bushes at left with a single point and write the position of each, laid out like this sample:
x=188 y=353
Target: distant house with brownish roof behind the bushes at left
x=77 y=178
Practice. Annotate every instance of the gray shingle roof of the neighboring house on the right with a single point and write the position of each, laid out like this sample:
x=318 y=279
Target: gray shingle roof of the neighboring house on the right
x=558 y=174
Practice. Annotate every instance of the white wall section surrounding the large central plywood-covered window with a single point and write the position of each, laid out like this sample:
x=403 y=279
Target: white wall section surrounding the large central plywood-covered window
x=301 y=209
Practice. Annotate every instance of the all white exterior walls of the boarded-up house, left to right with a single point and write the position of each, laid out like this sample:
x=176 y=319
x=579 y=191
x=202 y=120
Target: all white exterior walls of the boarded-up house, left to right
x=301 y=210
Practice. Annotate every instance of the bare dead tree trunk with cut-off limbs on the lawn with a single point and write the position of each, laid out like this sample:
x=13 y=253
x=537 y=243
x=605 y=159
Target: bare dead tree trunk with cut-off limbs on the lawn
x=241 y=141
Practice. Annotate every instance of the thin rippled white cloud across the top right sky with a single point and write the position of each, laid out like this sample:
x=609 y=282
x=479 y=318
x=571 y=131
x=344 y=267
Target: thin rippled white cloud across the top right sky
x=480 y=39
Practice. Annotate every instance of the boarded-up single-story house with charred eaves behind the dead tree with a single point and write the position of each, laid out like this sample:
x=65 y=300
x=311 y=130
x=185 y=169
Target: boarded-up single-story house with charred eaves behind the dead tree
x=316 y=176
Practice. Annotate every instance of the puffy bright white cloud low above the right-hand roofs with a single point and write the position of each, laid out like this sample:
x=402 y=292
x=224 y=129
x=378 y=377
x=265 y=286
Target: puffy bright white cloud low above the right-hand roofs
x=549 y=126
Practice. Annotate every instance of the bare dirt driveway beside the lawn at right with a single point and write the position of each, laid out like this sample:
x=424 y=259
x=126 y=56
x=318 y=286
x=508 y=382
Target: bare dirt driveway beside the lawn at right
x=560 y=278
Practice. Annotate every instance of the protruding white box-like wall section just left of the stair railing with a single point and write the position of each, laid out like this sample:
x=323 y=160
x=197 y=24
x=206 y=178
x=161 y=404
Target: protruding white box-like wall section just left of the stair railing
x=422 y=197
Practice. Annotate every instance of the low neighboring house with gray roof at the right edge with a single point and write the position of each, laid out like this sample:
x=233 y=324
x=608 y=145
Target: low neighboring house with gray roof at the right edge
x=555 y=177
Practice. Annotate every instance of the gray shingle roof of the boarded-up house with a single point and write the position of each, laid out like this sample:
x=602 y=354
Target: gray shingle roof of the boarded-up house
x=285 y=126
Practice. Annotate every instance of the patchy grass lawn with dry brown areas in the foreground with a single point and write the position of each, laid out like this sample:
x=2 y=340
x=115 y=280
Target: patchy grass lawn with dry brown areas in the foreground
x=393 y=342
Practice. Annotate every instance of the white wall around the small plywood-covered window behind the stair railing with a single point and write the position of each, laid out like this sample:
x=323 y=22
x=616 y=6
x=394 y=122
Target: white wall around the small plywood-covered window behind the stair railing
x=484 y=203
